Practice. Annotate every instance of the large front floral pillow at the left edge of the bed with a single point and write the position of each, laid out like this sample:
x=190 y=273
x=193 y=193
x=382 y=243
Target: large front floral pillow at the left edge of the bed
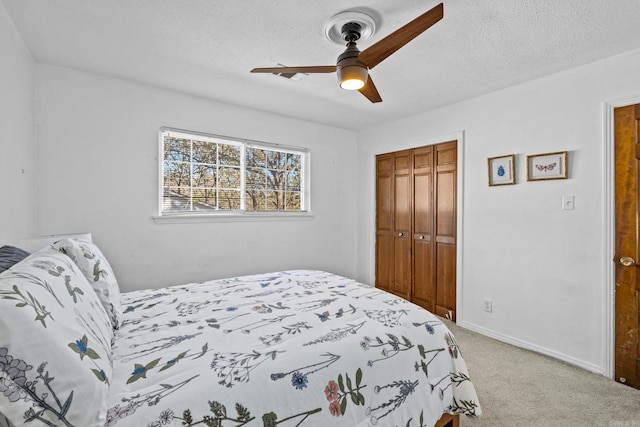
x=55 y=345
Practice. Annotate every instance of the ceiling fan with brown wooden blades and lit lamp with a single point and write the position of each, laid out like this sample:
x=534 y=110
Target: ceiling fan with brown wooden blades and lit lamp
x=353 y=66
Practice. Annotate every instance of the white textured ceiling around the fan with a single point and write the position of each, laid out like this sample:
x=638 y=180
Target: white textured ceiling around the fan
x=207 y=47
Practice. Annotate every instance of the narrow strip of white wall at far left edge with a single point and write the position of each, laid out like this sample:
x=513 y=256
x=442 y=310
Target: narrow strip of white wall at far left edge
x=17 y=156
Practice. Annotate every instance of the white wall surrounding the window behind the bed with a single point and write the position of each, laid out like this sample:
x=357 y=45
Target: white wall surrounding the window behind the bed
x=98 y=173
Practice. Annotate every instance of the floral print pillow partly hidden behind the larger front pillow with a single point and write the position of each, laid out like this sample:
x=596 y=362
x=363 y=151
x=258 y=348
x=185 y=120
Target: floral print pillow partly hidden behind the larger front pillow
x=98 y=272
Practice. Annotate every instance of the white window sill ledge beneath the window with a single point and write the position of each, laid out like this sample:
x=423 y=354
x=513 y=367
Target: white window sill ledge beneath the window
x=233 y=217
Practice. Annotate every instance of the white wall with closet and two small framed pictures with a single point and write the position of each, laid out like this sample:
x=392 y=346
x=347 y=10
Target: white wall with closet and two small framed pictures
x=542 y=267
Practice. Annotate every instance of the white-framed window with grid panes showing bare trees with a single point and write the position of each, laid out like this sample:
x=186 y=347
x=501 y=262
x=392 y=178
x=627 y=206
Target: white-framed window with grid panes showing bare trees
x=212 y=174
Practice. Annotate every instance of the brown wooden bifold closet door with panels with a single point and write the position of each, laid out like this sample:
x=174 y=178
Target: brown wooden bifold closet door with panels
x=416 y=226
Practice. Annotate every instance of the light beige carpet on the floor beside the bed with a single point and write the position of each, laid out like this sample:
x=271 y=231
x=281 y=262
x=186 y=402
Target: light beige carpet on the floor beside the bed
x=518 y=387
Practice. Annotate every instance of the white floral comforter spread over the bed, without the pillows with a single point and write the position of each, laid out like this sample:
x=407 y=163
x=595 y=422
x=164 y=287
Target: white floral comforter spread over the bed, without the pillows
x=293 y=348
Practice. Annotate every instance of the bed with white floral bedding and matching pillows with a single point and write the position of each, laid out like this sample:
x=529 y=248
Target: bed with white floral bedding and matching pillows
x=290 y=348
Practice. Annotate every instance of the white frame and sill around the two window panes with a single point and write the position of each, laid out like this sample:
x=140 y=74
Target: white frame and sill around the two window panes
x=242 y=213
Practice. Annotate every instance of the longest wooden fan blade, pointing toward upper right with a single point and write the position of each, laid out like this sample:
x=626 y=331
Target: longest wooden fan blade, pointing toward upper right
x=375 y=54
